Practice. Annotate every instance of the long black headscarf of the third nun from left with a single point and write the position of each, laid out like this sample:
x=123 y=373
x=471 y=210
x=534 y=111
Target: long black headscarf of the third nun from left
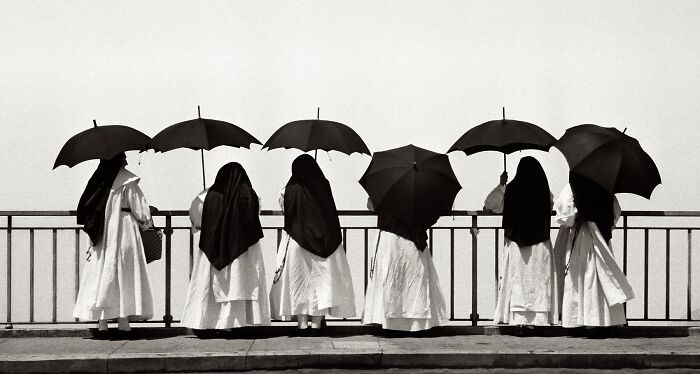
x=310 y=215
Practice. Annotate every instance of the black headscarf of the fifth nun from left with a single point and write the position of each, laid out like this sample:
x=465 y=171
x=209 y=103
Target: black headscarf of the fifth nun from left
x=527 y=205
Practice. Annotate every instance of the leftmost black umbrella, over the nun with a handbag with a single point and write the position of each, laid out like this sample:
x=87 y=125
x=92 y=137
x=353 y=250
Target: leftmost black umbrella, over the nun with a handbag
x=100 y=142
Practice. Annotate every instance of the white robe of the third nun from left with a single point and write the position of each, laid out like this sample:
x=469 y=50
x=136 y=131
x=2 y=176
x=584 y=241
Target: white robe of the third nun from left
x=310 y=284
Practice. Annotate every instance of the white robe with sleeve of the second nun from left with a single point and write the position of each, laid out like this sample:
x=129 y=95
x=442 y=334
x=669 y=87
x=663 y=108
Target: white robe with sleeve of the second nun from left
x=235 y=296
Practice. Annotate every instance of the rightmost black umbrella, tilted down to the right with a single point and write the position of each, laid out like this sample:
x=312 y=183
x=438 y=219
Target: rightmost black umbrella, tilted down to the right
x=611 y=158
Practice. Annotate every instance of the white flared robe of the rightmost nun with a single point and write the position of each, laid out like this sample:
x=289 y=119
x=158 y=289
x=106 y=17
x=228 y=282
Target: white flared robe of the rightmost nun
x=594 y=285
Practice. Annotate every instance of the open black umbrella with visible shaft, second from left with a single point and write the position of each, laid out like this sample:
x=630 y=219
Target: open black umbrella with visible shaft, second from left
x=201 y=134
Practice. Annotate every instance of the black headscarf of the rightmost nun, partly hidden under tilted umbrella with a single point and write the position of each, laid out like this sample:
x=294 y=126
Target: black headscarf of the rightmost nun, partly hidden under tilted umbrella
x=593 y=203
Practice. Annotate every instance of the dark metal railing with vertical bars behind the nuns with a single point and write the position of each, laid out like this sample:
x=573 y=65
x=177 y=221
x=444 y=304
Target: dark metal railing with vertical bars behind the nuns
x=465 y=225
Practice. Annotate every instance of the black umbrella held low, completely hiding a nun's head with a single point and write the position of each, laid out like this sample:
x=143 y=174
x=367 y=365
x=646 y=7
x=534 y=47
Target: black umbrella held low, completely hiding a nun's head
x=411 y=183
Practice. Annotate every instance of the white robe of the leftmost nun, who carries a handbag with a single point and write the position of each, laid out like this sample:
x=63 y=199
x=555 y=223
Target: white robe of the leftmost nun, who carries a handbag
x=115 y=282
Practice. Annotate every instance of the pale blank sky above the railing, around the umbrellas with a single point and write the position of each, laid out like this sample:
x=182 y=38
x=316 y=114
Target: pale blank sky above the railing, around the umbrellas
x=398 y=72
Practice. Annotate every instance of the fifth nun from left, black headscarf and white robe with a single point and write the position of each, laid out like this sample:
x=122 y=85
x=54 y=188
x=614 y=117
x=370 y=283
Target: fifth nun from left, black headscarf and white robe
x=527 y=285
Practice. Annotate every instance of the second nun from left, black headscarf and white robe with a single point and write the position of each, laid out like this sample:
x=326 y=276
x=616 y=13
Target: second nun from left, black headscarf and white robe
x=227 y=288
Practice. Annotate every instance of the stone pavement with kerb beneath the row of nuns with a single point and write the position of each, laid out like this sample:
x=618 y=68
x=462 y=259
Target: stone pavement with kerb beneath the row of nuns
x=279 y=348
